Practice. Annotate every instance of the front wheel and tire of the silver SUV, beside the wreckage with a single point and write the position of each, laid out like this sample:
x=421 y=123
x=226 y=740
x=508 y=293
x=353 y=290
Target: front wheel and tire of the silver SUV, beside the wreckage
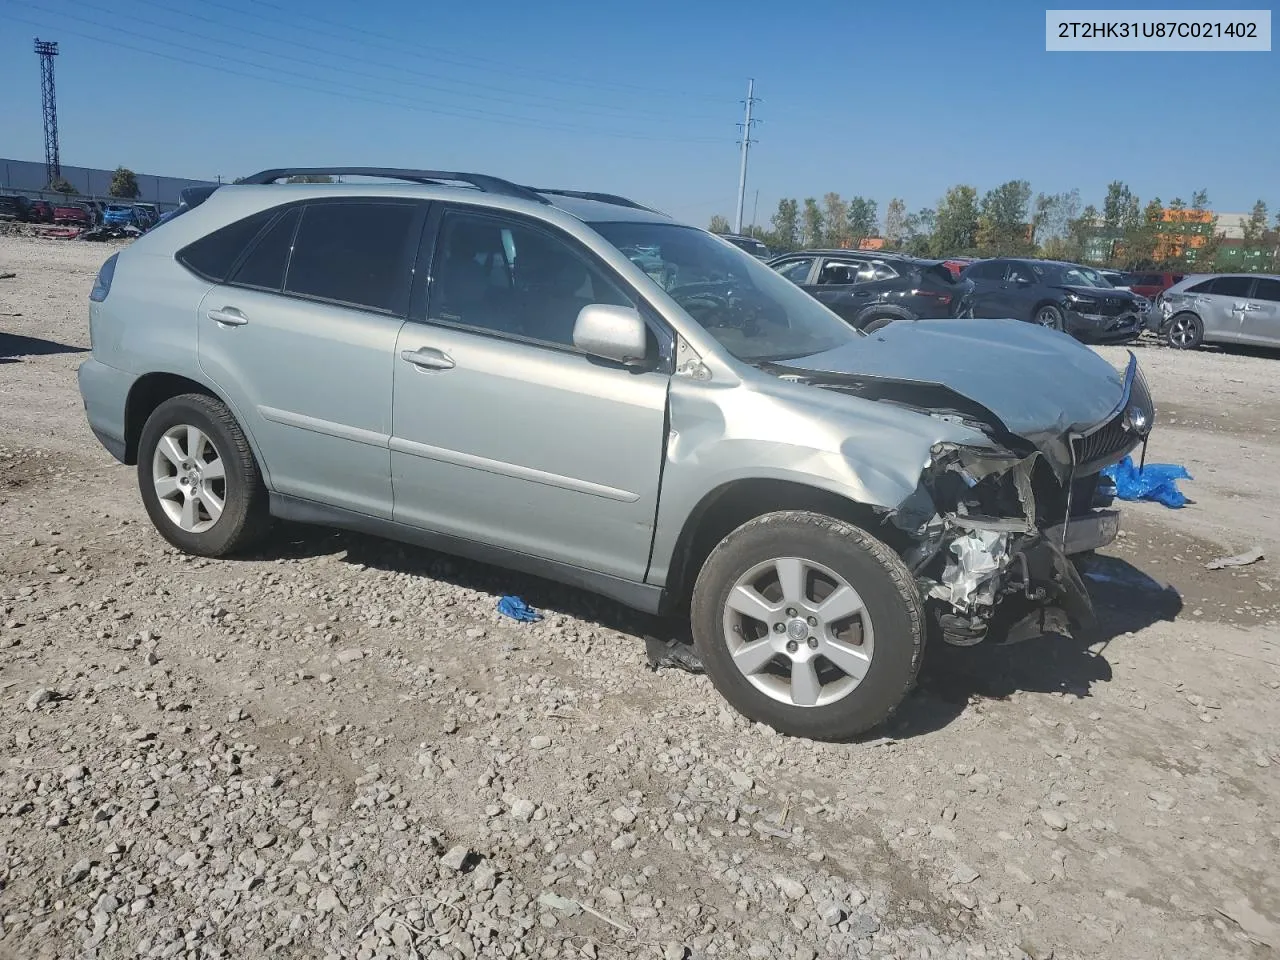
x=767 y=688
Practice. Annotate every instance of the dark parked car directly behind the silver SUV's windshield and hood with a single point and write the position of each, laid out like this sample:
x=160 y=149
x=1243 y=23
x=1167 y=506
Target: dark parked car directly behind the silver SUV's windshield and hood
x=871 y=290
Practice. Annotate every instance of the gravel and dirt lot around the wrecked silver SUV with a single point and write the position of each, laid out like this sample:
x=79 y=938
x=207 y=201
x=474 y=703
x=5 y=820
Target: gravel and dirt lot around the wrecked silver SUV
x=337 y=748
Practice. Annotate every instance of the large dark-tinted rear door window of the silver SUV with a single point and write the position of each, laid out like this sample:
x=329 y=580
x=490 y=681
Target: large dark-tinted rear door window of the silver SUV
x=356 y=254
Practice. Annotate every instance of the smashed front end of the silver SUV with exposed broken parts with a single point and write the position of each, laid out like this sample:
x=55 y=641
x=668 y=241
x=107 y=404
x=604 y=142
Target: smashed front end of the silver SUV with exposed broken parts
x=995 y=555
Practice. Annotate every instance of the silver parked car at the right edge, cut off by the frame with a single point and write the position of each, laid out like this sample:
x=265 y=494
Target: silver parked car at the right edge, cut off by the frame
x=1224 y=309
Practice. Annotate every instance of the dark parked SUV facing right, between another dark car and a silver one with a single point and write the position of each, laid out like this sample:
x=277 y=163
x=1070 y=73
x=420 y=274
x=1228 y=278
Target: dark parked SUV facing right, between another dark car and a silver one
x=1068 y=298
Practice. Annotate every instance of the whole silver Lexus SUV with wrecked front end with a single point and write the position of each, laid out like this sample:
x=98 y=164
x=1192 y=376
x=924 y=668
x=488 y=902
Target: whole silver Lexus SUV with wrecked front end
x=575 y=386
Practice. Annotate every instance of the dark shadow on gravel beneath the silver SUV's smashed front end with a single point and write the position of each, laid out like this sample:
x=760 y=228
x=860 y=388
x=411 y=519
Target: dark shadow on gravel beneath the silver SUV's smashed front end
x=953 y=679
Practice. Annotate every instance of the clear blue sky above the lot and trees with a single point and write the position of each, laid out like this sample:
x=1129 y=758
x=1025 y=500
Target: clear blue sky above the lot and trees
x=642 y=99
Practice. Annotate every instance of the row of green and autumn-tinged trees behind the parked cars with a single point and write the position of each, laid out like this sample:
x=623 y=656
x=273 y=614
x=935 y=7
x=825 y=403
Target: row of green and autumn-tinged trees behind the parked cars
x=1009 y=221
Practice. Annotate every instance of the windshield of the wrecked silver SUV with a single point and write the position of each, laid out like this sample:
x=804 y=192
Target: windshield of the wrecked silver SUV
x=756 y=314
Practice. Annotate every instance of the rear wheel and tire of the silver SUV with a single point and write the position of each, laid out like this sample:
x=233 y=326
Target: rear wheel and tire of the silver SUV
x=168 y=468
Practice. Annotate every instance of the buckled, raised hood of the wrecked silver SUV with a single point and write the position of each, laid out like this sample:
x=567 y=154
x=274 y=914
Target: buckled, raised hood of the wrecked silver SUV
x=1037 y=383
